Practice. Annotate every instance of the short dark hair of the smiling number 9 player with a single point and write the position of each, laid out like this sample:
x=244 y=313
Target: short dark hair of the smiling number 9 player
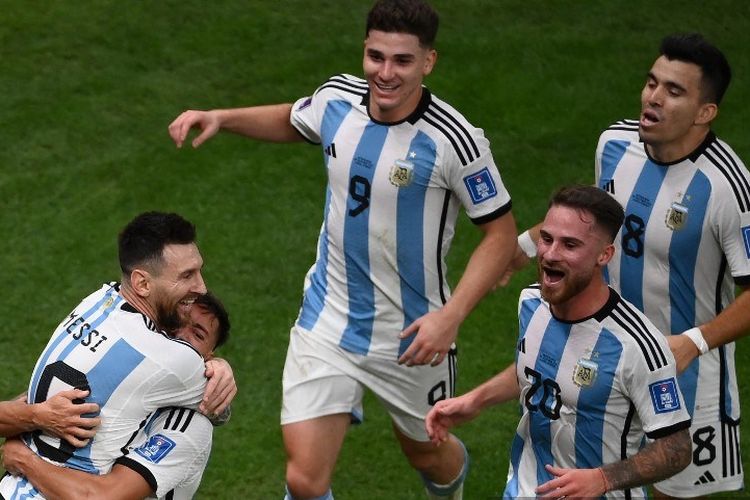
x=414 y=17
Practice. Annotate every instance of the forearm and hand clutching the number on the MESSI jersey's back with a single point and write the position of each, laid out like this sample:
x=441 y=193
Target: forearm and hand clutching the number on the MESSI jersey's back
x=60 y=416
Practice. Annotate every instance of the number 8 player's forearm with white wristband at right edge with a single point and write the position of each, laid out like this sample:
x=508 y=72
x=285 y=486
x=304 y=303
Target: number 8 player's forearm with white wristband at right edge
x=731 y=324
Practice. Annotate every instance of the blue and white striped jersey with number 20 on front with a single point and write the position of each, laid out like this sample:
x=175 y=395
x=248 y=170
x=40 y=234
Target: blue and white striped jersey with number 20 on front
x=590 y=390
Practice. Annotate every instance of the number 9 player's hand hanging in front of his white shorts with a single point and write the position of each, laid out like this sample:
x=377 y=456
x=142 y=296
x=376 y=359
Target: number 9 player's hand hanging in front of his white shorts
x=435 y=333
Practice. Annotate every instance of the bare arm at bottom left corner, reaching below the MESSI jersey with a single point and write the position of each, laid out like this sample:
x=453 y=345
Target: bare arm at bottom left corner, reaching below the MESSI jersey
x=121 y=483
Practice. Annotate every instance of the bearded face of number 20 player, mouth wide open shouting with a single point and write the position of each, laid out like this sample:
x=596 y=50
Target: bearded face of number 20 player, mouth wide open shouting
x=571 y=253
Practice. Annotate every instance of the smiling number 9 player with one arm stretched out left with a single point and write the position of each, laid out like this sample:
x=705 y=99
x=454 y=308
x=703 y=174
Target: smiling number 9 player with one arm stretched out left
x=377 y=312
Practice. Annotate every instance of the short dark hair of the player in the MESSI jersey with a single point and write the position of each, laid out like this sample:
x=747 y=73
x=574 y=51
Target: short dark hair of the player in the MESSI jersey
x=142 y=241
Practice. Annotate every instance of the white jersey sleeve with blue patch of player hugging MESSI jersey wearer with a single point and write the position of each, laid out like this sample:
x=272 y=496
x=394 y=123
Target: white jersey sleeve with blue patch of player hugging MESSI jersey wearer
x=171 y=452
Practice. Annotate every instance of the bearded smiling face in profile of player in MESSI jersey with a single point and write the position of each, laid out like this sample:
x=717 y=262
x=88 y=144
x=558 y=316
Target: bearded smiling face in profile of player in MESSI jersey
x=176 y=284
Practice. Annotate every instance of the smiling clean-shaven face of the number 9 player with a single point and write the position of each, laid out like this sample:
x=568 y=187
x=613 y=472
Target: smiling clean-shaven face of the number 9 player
x=394 y=66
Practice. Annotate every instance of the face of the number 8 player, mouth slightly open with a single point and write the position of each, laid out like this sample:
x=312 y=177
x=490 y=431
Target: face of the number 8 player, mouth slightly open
x=674 y=119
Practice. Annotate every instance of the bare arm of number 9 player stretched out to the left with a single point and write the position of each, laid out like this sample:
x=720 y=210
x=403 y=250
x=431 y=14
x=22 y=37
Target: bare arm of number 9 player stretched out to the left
x=265 y=123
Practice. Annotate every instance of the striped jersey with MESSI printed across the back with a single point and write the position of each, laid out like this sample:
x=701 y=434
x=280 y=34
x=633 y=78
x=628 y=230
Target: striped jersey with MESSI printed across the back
x=131 y=369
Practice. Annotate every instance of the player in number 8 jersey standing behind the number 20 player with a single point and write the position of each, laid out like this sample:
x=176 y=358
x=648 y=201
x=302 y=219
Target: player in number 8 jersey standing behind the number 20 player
x=685 y=244
